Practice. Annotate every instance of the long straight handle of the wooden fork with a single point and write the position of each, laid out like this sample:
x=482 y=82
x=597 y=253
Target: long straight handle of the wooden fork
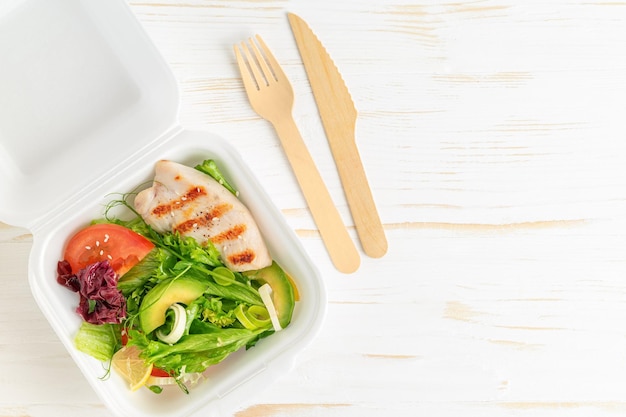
x=340 y=246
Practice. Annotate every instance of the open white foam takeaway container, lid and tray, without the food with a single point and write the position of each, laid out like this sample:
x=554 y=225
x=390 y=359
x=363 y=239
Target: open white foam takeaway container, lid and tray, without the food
x=87 y=106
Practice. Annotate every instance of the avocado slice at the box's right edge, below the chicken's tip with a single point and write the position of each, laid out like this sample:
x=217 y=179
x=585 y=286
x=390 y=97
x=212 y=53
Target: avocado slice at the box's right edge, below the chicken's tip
x=282 y=290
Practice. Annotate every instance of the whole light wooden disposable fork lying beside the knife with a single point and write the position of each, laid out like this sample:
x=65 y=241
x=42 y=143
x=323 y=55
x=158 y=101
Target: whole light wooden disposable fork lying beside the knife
x=271 y=96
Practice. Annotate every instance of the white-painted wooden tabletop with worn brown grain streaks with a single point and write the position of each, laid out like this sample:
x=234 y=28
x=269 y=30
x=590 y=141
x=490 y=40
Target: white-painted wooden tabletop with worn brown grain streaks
x=494 y=137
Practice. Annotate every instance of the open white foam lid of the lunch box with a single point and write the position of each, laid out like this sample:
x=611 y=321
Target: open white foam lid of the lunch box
x=83 y=93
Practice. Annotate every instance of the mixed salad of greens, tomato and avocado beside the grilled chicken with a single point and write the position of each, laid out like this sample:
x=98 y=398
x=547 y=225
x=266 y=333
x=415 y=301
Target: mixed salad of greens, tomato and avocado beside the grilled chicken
x=159 y=306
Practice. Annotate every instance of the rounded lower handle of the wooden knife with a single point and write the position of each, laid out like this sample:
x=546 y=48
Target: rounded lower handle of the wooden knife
x=359 y=196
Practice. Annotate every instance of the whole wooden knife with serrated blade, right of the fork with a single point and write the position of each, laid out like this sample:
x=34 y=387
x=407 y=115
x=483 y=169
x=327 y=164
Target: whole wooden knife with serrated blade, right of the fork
x=339 y=116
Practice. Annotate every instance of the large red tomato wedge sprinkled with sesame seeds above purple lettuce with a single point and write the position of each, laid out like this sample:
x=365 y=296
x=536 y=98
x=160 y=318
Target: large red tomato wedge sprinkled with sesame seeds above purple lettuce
x=122 y=247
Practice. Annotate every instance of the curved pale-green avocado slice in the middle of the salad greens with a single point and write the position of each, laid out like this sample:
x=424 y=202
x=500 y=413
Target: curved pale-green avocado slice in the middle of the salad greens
x=163 y=295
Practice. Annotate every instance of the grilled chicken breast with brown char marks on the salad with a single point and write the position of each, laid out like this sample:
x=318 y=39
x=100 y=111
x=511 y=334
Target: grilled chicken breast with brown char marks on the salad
x=185 y=200
